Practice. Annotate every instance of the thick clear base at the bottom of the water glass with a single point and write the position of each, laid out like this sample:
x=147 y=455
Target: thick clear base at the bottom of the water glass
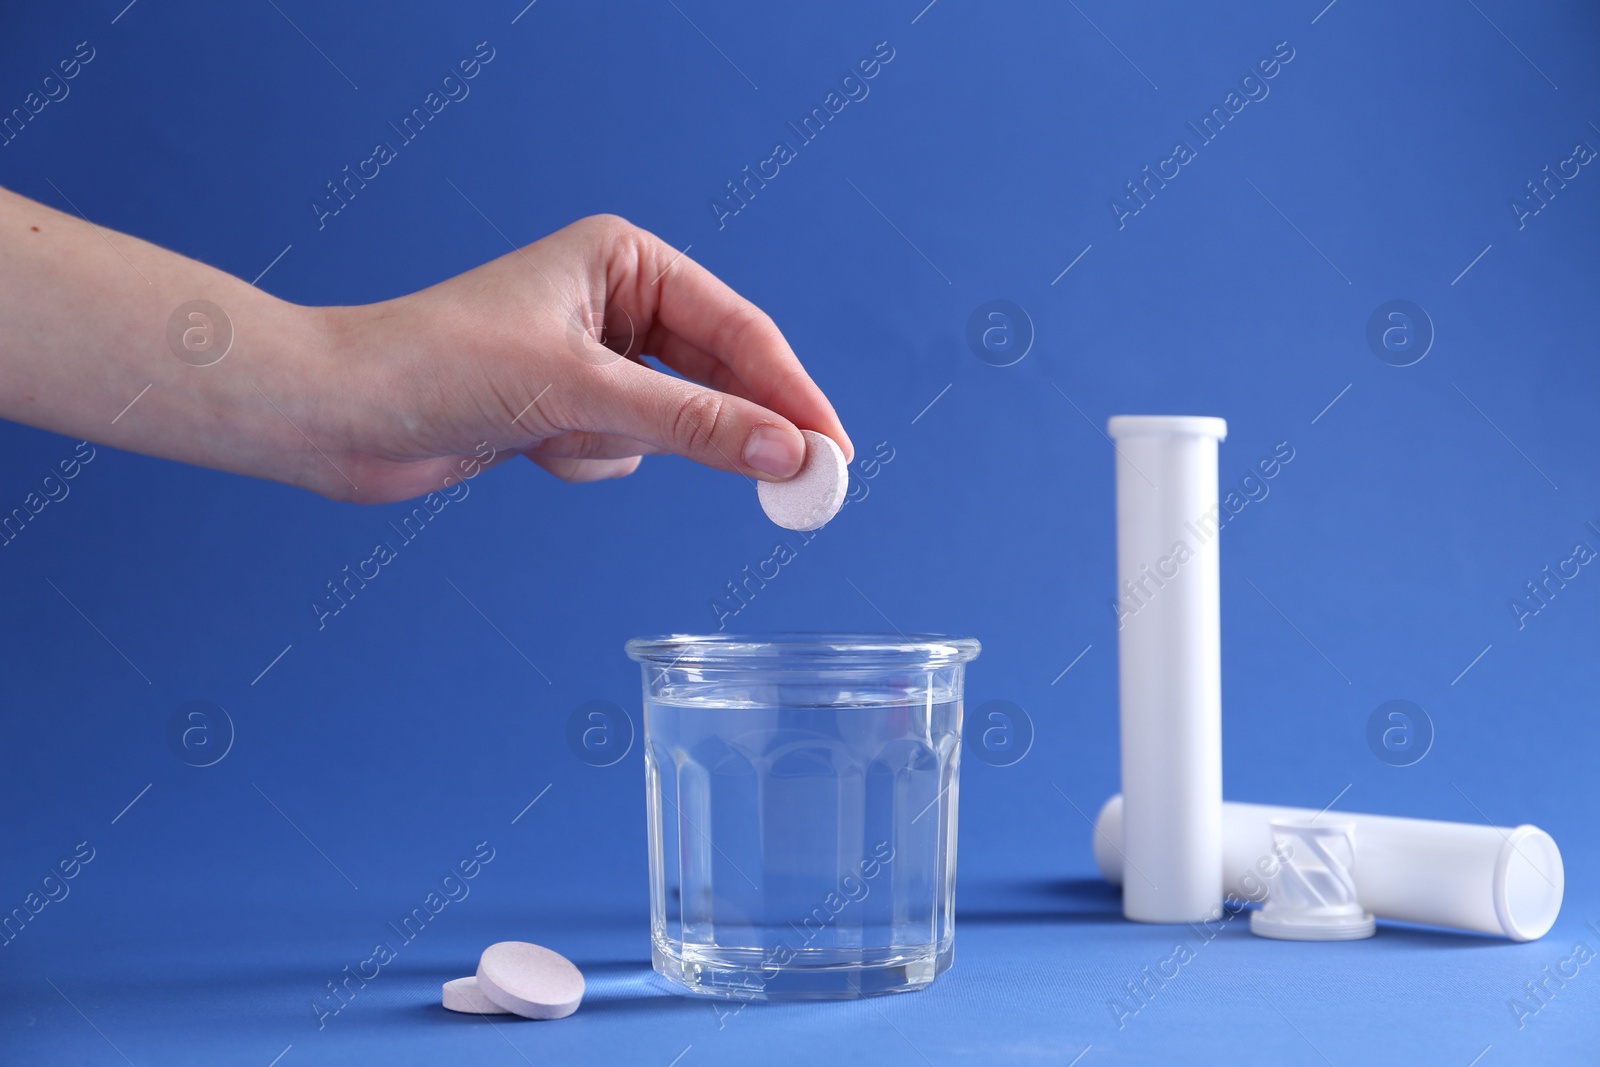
x=834 y=975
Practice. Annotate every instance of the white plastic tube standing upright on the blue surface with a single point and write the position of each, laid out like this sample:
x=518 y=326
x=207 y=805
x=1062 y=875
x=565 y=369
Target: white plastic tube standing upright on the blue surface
x=1170 y=655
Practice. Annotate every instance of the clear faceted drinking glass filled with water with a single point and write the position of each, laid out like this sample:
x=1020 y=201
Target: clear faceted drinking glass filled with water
x=802 y=796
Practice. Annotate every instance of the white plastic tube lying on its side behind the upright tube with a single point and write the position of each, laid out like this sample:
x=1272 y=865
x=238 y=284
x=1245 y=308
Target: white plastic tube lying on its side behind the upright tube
x=1494 y=881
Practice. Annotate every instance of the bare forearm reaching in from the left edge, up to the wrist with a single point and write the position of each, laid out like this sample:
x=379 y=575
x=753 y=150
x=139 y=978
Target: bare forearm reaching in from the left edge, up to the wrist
x=84 y=351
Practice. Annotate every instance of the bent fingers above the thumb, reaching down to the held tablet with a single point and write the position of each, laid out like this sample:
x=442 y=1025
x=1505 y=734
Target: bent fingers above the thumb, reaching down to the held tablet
x=700 y=324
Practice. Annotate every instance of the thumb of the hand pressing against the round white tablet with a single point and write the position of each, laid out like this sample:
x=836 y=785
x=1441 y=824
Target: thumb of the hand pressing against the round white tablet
x=711 y=428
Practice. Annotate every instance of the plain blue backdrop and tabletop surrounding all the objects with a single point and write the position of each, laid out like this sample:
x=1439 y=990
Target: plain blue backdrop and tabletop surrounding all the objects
x=378 y=751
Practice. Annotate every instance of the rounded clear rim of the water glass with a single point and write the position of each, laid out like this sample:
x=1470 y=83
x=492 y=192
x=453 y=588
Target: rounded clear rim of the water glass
x=799 y=649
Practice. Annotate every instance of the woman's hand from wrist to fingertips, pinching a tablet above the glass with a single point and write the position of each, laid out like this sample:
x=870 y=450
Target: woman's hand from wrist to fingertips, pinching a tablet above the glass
x=538 y=353
